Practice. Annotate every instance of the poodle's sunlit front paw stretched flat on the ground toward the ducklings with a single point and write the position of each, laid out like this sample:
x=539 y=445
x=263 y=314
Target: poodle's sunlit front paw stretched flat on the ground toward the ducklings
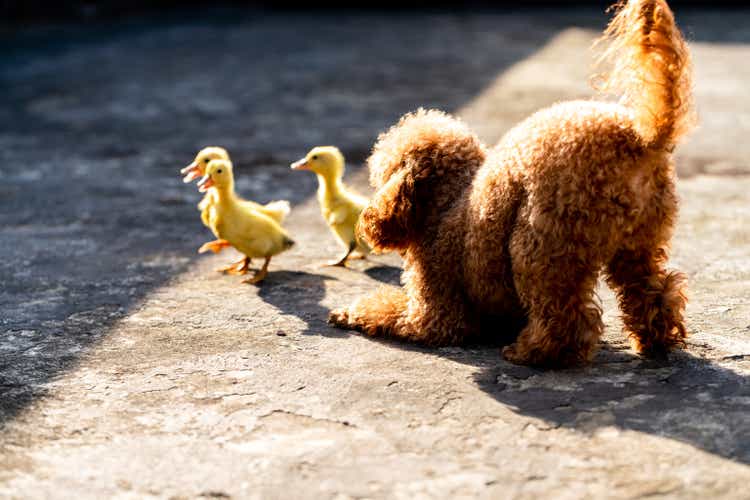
x=381 y=314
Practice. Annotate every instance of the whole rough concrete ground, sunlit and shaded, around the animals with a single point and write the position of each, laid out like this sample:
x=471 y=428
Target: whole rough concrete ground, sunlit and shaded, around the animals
x=129 y=369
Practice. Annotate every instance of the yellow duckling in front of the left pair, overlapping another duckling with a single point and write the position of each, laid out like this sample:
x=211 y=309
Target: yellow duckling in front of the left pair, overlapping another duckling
x=235 y=223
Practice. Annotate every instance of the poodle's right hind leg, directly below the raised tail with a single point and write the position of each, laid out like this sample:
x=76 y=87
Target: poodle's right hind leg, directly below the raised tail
x=652 y=300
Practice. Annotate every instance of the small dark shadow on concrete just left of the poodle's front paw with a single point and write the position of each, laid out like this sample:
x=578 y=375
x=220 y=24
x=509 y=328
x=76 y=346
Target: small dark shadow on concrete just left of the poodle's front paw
x=300 y=294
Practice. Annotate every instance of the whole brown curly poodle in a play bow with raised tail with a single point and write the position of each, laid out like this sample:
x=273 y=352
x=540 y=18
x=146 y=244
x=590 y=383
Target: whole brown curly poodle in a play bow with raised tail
x=524 y=230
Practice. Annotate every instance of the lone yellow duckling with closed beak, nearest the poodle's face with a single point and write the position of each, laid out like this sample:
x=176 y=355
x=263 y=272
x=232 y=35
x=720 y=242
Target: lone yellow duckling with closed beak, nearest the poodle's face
x=339 y=206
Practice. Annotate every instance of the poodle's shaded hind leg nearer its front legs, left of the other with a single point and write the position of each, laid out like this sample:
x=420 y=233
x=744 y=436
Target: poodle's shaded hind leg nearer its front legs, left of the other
x=564 y=317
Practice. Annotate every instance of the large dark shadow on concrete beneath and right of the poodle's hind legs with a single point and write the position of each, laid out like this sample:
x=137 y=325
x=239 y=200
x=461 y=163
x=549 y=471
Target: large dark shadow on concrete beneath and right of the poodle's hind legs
x=687 y=398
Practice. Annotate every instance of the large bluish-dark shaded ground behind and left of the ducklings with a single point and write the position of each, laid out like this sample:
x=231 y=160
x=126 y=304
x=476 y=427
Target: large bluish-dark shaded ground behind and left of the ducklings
x=95 y=130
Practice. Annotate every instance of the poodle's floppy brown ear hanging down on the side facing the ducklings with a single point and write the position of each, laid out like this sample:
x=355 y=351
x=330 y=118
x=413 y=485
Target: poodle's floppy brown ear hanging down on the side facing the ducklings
x=388 y=222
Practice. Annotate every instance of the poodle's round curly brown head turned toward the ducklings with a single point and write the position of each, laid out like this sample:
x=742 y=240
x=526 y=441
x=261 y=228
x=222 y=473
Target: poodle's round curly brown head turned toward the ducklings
x=406 y=165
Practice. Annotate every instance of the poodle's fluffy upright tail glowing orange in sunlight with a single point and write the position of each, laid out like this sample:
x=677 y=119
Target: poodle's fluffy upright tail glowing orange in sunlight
x=651 y=70
